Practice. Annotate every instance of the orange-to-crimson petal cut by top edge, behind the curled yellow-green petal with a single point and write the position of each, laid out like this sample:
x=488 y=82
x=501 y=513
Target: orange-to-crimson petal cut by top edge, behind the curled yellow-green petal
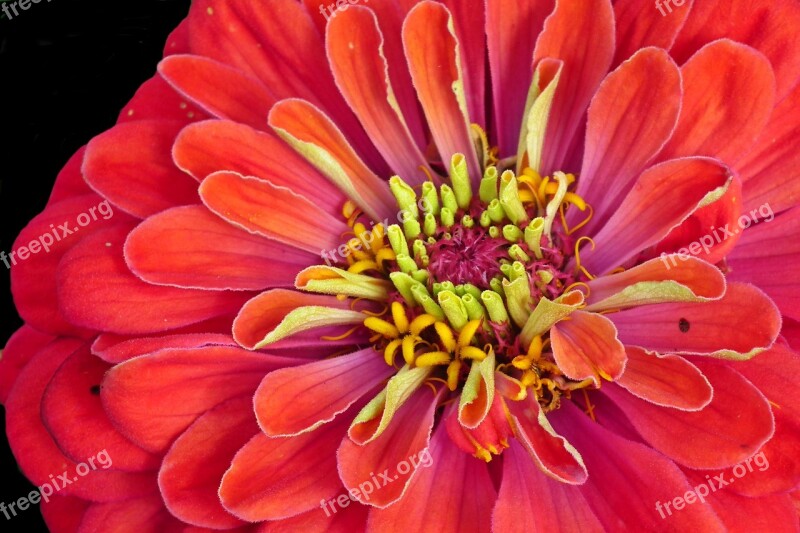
x=511 y=30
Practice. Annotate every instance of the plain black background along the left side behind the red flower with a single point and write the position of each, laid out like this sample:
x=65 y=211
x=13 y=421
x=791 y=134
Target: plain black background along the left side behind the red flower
x=66 y=69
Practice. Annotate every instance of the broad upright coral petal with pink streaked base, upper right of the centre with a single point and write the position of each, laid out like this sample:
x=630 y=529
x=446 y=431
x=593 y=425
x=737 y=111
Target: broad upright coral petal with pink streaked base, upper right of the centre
x=620 y=141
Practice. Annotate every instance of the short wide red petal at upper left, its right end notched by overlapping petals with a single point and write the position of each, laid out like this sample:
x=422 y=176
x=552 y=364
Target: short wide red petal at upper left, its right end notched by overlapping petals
x=131 y=165
